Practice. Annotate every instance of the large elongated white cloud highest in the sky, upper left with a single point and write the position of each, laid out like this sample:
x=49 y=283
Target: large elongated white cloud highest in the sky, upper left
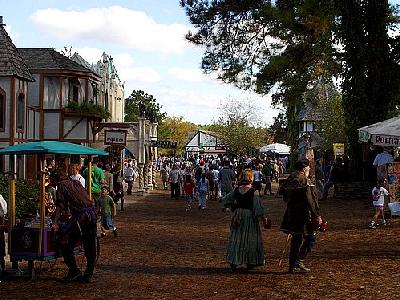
x=115 y=24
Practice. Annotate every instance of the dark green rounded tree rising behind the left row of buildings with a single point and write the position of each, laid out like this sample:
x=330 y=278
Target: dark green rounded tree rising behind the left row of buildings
x=141 y=104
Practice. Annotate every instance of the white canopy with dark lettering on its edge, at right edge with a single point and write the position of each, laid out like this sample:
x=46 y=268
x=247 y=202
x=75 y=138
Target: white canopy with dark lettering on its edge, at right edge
x=385 y=133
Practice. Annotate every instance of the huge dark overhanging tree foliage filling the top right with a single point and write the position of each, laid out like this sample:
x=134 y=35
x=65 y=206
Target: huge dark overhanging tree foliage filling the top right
x=284 y=47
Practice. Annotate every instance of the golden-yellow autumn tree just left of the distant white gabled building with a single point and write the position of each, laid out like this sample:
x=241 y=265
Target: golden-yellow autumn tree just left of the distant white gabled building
x=175 y=129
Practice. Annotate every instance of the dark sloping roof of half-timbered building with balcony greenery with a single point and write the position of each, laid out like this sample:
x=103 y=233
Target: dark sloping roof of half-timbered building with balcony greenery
x=49 y=59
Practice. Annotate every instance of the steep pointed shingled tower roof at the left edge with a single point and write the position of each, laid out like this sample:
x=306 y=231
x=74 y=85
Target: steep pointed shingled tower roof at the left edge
x=11 y=62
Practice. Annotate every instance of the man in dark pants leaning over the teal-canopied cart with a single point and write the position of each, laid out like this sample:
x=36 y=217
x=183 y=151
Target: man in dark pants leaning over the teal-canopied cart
x=81 y=225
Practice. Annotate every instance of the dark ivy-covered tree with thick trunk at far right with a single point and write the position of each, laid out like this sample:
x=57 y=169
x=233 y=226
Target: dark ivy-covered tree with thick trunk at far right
x=370 y=78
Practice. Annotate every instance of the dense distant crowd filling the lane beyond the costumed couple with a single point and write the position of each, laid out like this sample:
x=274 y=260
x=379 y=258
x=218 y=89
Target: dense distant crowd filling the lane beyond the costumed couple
x=214 y=177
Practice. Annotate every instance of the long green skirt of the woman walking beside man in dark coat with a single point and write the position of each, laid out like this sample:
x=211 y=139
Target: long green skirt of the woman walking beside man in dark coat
x=245 y=244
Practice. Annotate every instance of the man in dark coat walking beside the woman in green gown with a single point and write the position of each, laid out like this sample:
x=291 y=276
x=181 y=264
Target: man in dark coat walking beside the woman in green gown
x=301 y=217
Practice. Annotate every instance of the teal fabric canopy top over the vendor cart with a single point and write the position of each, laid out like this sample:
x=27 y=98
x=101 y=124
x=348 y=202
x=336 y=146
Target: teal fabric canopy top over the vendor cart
x=53 y=147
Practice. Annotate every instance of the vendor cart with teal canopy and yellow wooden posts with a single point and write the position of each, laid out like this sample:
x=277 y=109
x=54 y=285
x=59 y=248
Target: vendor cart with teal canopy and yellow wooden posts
x=32 y=238
